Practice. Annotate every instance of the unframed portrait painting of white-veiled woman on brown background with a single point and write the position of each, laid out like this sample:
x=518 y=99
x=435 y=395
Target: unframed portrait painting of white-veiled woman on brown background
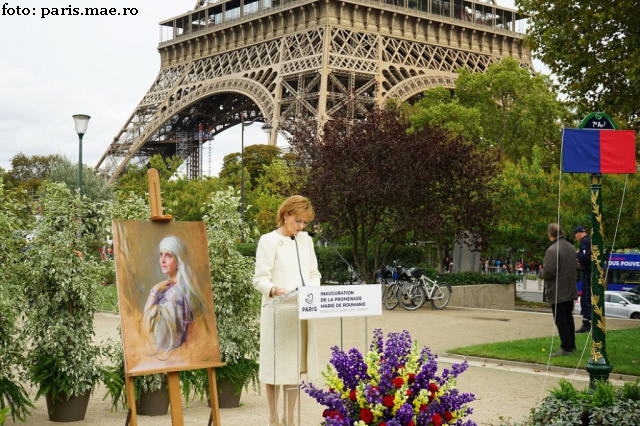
x=164 y=293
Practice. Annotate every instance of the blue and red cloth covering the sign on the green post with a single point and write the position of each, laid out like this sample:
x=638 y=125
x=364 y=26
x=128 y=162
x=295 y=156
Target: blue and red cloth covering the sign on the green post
x=598 y=151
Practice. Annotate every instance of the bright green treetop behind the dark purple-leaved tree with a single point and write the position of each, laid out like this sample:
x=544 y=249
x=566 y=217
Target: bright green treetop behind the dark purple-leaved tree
x=505 y=108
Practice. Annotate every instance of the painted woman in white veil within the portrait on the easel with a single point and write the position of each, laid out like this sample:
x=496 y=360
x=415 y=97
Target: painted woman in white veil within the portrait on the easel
x=172 y=304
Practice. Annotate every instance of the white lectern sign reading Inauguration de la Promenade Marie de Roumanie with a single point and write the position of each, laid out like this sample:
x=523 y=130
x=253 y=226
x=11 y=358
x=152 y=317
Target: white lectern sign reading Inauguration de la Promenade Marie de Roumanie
x=339 y=301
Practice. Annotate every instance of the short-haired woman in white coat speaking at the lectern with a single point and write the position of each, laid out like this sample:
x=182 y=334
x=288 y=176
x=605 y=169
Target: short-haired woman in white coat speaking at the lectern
x=285 y=260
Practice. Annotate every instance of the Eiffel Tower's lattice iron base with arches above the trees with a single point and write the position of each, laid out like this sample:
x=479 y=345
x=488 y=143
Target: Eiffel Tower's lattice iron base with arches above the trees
x=277 y=60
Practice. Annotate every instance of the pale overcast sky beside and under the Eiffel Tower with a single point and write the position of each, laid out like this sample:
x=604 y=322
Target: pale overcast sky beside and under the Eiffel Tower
x=54 y=67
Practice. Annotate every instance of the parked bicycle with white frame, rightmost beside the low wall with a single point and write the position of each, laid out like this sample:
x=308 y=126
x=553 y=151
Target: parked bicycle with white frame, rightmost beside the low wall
x=416 y=292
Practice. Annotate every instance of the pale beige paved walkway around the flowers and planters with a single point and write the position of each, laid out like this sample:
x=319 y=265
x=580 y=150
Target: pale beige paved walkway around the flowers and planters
x=502 y=389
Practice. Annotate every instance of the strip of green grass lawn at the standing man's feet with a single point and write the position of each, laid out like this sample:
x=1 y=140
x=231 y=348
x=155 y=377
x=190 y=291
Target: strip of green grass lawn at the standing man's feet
x=622 y=348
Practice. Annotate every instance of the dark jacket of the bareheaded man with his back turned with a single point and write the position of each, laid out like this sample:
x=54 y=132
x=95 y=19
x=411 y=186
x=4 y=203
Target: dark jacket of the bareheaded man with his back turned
x=560 y=262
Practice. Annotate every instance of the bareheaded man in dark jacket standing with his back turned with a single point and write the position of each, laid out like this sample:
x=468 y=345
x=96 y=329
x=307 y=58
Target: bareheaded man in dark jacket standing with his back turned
x=559 y=274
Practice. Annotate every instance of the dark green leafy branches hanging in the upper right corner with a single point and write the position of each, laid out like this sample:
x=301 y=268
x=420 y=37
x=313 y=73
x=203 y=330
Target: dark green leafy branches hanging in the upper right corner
x=593 y=49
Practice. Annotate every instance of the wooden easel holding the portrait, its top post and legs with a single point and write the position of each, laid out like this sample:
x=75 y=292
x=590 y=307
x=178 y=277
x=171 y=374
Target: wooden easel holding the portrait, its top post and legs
x=173 y=379
